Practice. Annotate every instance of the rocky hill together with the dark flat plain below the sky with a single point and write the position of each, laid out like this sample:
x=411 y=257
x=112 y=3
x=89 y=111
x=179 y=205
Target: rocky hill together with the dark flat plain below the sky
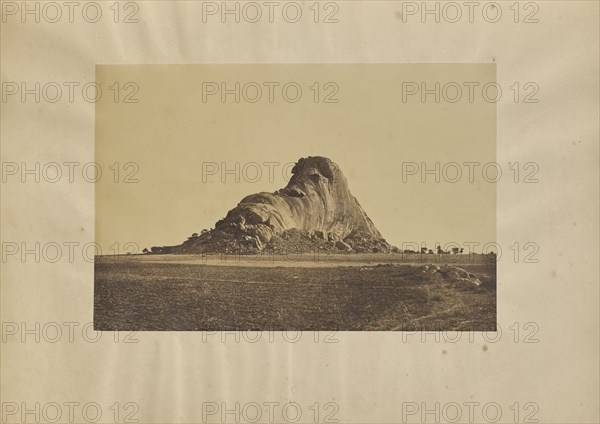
x=306 y=257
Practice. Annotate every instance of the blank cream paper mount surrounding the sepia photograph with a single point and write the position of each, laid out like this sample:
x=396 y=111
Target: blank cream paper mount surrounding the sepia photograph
x=368 y=375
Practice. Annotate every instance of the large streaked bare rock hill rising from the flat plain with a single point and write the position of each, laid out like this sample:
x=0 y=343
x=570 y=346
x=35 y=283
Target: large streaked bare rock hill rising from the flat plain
x=315 y=205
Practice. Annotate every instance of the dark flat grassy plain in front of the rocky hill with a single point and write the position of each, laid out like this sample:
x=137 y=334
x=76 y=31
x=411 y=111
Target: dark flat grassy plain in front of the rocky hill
x=341 y=292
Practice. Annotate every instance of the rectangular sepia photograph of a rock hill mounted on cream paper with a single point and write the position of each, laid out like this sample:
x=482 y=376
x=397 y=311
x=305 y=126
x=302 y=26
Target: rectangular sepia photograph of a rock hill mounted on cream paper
x=297 y=197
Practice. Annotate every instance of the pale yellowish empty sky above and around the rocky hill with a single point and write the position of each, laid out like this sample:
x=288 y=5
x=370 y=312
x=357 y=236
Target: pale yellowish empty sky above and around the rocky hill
x=178 y=129
